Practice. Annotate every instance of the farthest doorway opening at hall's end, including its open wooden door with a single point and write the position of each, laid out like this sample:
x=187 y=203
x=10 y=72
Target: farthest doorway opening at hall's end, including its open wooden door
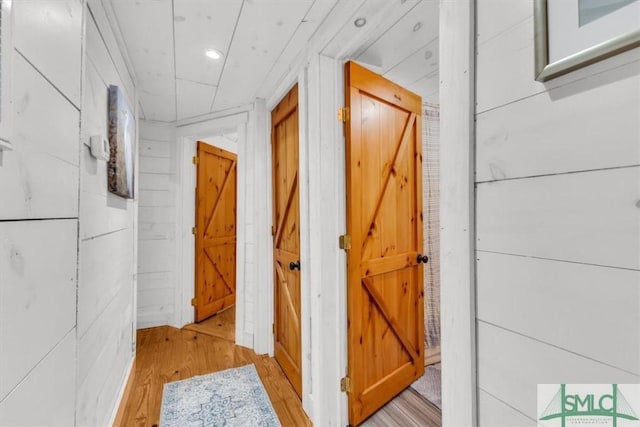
x=215 y=233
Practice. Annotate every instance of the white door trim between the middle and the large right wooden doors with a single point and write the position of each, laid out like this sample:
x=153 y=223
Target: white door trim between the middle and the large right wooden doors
x=322 y=153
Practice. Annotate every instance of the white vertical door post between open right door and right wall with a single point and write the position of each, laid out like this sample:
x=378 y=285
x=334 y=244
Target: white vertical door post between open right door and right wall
x=457 y=213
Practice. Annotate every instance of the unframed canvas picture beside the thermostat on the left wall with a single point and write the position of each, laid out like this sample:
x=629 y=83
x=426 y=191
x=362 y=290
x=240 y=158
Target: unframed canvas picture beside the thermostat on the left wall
x=120 y=169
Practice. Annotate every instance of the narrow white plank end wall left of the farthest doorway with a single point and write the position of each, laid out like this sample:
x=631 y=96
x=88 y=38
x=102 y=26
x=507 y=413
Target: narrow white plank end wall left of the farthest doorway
x=157 y=285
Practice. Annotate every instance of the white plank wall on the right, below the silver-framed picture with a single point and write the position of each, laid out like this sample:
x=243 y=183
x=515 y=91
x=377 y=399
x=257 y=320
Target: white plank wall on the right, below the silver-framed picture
x=558 y=254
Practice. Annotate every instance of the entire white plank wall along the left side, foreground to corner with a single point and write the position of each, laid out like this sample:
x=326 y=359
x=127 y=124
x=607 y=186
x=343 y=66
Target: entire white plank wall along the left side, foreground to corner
x=68 y=253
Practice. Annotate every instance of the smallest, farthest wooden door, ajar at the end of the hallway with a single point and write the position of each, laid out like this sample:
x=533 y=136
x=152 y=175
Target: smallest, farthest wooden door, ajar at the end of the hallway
x=215 y=231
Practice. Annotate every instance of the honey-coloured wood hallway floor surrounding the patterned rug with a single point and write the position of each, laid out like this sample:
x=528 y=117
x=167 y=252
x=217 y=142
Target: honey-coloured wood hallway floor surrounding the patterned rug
x=166 y=354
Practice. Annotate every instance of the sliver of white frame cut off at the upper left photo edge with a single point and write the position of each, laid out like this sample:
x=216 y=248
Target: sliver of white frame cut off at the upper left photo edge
x=6 y=55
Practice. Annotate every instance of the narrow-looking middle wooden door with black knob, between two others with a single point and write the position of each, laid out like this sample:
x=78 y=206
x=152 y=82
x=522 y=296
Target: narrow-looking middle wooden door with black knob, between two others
x=286 y=238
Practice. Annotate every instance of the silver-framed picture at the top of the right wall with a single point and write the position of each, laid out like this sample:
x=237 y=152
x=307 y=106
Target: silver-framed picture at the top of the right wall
x=572 y=34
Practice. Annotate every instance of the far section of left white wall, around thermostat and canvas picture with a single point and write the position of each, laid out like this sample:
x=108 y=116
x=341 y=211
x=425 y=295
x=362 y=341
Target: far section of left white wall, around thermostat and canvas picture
x=107 y=245
